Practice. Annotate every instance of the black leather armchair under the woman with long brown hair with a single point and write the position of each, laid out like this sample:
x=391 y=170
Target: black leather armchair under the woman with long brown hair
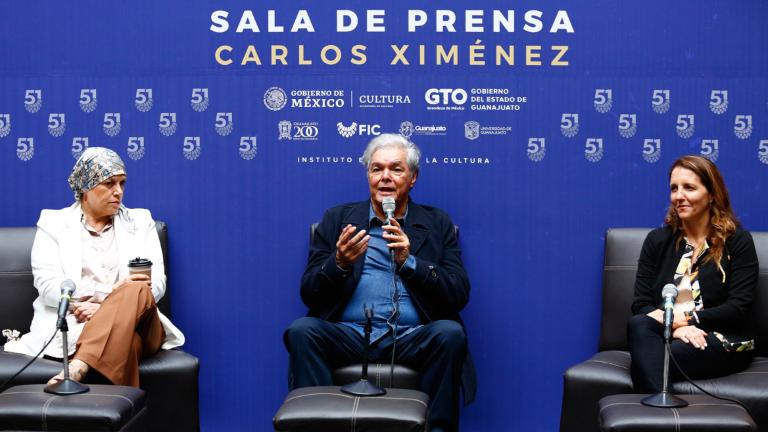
x=607 y=372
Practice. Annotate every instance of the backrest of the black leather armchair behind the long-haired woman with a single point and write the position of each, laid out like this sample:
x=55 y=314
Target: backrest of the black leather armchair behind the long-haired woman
x=622 y=250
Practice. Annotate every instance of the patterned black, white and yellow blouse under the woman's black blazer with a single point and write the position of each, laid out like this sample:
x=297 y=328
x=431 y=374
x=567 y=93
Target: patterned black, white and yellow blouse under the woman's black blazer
x=689 y=299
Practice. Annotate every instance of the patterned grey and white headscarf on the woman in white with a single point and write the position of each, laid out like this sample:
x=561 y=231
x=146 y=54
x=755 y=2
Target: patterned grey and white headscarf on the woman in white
x=94 y=166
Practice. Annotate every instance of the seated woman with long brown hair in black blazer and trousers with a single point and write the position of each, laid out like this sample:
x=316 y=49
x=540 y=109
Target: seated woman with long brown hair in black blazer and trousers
x=703 y=251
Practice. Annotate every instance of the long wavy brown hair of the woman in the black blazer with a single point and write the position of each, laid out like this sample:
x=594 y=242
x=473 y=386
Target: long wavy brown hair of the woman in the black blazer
x=722 y=220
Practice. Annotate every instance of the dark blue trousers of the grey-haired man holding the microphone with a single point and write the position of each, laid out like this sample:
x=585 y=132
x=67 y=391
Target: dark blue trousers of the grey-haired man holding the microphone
x=437 y=350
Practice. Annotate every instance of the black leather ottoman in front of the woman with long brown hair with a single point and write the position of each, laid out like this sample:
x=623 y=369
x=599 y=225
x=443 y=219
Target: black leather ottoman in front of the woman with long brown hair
x=625 y=413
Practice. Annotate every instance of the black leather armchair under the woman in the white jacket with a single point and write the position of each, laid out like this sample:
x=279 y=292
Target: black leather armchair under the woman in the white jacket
x=170 y=378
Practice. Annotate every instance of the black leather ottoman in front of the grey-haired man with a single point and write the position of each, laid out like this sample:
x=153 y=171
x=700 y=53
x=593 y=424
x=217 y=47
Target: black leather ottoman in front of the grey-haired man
x=327 y=409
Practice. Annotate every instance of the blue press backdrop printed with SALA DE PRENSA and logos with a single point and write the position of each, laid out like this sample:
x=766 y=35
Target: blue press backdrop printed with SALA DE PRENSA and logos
x=534 y=162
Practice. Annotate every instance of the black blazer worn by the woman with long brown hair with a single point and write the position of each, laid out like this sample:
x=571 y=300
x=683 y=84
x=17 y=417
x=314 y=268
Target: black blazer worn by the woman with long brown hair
x=727 y=305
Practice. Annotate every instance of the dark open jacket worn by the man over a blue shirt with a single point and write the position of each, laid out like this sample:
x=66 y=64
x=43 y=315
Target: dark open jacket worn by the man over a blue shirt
x=439 y=286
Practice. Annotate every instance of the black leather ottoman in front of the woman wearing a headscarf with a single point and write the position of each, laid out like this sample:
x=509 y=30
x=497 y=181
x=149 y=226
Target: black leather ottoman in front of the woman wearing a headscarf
x=103 y=408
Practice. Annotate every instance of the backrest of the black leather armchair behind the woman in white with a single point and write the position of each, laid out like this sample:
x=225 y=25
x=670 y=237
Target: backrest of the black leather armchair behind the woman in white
x=17 y=291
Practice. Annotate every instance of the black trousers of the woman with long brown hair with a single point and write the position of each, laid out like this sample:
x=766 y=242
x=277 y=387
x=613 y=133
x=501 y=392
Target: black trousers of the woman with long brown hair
x=646 y=345
